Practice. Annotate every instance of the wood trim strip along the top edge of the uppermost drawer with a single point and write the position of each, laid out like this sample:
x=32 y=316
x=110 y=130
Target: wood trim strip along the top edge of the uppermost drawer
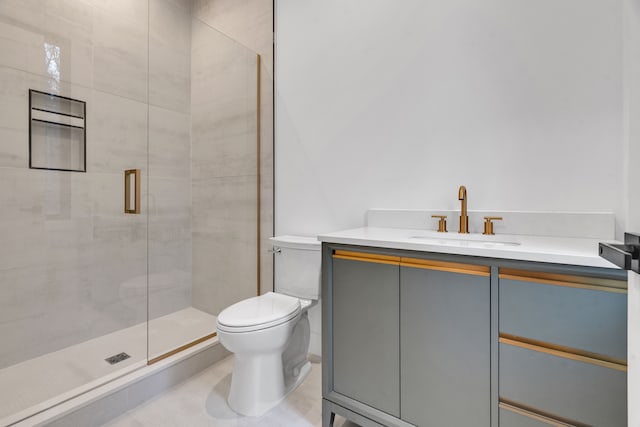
x=571 y=281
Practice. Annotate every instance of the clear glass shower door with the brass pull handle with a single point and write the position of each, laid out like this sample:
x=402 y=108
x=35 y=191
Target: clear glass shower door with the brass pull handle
x=73 y=265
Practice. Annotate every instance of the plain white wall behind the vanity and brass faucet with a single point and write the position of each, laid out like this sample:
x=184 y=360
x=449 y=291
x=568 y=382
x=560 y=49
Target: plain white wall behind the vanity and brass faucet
x=395 y=104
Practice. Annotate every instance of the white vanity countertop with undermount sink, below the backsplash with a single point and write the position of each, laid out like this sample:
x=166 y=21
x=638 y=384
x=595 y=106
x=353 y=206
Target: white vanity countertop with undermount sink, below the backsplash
x=558 y=250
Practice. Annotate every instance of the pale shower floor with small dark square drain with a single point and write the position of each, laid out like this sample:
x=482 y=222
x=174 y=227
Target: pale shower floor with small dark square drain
x=39 y=383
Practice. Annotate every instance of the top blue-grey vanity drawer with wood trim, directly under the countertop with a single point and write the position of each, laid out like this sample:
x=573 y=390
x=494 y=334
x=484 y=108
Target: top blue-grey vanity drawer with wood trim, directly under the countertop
x=580 y=313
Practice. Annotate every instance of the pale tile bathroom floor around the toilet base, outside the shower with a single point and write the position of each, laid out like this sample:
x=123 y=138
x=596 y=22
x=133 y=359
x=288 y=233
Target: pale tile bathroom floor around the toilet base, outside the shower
x=201 y=401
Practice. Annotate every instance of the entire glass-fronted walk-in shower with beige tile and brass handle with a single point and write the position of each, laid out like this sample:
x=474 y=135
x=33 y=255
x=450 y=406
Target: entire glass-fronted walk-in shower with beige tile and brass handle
x=92 y=286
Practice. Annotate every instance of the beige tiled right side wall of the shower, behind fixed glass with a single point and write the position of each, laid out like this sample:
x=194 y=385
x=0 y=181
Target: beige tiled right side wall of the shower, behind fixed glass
x=224 y=169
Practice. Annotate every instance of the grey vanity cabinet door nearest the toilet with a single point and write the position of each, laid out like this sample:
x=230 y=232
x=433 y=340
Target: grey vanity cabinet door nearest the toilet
x=366 y=362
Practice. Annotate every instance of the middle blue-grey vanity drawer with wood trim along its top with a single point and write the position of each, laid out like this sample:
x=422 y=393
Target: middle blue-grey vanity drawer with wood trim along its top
x=566 y=386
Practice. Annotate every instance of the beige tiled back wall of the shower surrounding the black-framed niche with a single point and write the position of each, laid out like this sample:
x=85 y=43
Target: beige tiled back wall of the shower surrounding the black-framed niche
x=72 y=265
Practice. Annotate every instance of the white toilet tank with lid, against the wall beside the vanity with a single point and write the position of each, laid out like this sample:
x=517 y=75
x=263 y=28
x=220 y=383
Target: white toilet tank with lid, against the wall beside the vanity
x=297 y=266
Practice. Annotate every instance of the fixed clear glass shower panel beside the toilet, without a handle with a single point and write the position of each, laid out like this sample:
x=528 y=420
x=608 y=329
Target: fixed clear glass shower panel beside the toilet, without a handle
x=203 y=178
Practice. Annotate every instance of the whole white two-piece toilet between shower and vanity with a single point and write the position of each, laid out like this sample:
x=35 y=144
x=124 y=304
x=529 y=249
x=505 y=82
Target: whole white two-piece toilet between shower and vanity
x=269 y=334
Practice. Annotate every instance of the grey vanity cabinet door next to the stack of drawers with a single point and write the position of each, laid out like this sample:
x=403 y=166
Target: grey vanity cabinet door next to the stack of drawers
x=445 y=347
